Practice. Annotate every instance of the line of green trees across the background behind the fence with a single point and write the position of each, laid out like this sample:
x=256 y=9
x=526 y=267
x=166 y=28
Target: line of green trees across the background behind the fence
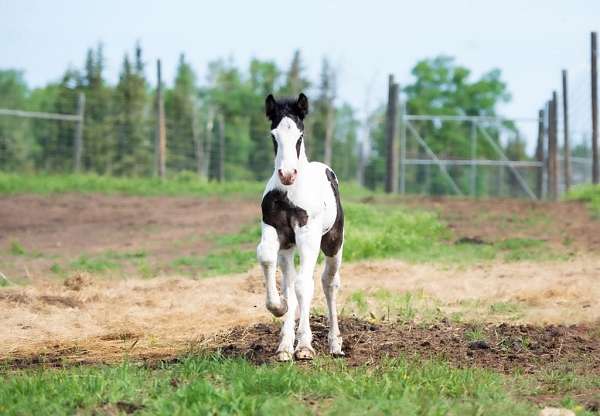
x=223 y=117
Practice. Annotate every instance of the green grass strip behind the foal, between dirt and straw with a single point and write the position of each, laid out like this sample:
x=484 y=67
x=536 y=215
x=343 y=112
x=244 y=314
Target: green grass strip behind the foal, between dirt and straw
x=373 y=232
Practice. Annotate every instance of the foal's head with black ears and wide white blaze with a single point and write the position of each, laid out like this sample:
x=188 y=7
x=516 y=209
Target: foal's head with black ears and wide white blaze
x=287 y=132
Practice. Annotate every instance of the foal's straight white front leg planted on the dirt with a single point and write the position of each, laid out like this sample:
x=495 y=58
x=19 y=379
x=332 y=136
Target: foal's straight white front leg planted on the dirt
x=308 y=241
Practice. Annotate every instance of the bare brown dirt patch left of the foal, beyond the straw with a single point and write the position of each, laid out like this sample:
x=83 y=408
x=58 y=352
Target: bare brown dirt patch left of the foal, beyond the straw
x=63 y=227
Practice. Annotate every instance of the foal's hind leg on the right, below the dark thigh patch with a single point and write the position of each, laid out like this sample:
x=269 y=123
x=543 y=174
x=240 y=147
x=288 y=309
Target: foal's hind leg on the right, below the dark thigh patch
x=331 y=283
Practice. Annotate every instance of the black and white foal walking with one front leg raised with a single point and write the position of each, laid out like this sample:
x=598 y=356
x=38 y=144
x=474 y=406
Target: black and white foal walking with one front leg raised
x=300 y=210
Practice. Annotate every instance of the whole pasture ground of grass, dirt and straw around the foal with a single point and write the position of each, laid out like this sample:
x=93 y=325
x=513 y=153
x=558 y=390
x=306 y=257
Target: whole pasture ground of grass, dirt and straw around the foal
x=138 y=296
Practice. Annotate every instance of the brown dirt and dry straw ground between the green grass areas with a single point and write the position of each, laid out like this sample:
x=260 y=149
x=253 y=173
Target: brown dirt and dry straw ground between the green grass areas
x=86 y=319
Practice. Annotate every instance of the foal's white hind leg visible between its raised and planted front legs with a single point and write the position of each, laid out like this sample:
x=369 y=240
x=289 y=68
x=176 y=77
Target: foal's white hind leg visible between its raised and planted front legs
x=285 y=351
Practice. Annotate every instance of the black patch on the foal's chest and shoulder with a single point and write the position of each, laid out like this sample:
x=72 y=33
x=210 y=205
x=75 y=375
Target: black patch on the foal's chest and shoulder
x=279 y=212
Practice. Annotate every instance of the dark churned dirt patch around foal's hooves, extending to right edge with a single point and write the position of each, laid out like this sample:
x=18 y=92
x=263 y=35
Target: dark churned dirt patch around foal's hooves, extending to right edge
x=501 y=347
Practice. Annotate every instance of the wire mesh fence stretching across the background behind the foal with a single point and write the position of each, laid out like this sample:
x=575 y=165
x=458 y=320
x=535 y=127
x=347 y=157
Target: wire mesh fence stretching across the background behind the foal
x=114 y=132
